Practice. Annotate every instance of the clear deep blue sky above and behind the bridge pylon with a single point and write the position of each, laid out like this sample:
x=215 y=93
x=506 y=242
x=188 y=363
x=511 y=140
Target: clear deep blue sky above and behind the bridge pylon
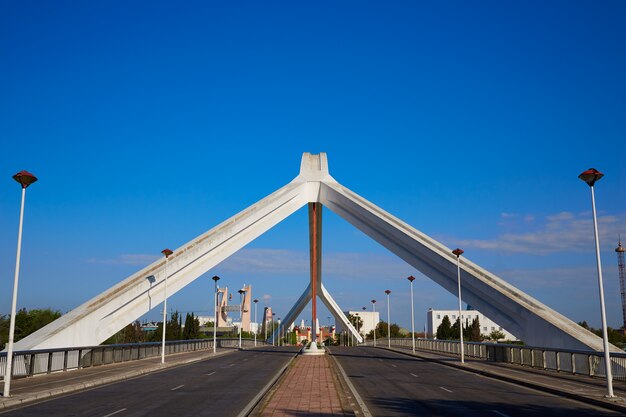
x=150 y=122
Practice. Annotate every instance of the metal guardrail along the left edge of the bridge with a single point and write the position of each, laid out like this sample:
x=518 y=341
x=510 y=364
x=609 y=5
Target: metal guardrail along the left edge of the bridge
x=45 y=361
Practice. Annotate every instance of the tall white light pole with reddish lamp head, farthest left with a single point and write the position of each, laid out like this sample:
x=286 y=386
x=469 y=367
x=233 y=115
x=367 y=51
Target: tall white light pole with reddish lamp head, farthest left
x=25 y=178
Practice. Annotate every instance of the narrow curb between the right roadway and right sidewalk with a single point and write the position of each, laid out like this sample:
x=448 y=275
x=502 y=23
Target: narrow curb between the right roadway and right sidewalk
x=611 y=404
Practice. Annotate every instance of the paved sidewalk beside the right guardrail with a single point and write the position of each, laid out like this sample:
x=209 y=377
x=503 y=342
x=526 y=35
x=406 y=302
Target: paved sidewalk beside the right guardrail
x=578 y=387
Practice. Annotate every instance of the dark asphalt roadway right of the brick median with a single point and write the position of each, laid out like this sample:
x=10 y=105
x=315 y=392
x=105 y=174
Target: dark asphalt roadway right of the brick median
x=392 y=384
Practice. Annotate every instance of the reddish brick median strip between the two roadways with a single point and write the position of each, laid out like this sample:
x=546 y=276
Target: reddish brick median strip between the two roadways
x=310 y=388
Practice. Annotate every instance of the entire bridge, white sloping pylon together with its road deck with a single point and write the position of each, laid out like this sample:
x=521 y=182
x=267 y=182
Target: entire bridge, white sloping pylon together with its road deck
x=391 y=381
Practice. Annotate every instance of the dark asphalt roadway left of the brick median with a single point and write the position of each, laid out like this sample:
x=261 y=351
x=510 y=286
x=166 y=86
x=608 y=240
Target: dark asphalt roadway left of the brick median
x=220 y=386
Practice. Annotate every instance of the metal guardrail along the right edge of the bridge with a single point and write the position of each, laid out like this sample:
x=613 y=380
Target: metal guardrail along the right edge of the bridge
x=576 y=362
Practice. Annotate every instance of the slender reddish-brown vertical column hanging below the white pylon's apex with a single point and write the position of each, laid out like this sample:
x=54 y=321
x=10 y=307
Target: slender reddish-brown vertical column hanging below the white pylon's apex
x=315 y=244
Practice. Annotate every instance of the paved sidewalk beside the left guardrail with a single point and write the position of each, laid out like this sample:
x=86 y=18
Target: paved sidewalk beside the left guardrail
x=25 y=390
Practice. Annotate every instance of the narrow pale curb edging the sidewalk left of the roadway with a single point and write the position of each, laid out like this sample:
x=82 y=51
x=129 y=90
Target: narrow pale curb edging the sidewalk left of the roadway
x=17 y=400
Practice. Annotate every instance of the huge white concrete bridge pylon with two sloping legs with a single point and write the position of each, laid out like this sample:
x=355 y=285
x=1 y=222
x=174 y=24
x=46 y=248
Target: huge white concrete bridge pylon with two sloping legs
x=99 y=318
